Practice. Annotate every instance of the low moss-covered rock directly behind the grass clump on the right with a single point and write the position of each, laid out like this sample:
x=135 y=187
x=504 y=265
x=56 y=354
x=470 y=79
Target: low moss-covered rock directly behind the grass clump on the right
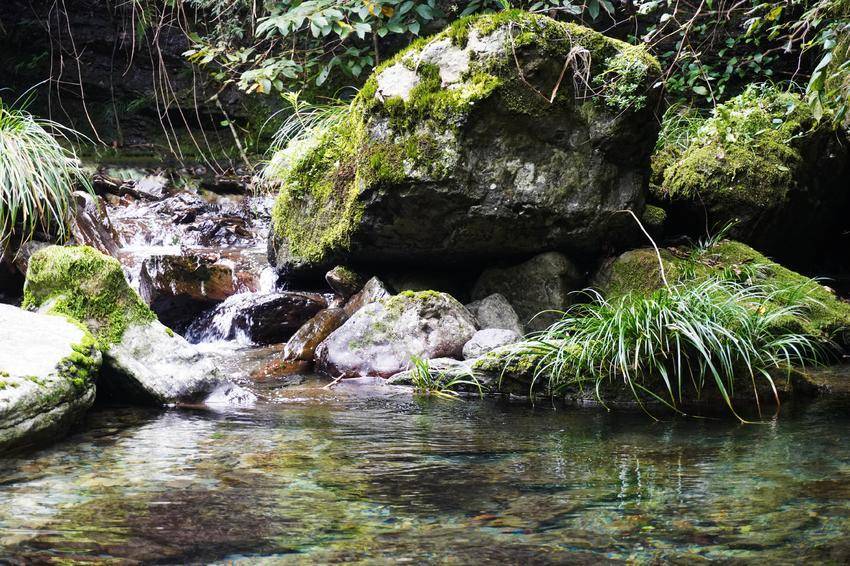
x=637 y=271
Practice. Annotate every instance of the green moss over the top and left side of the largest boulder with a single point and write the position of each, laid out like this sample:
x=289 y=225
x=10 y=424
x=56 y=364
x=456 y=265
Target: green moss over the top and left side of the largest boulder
x=398 y=140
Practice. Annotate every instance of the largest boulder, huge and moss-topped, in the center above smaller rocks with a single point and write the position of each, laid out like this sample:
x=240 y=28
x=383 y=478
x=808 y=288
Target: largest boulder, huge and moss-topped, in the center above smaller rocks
x=504 y=135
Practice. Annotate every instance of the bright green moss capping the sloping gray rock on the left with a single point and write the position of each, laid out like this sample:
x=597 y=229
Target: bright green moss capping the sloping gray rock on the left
x=86 y=286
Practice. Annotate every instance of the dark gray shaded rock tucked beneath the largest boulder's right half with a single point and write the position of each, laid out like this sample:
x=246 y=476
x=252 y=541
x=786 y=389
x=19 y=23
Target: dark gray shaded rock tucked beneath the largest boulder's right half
x=540 y=284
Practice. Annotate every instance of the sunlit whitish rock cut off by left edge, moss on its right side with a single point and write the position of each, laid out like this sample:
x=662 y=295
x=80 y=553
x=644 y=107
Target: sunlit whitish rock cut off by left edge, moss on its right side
x=47 y=373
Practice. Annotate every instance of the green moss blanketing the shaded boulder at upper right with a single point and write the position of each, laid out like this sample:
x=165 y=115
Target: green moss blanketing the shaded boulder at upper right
x=745 y=155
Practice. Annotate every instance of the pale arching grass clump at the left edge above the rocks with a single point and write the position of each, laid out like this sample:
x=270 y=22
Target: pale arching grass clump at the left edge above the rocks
x=37 y=176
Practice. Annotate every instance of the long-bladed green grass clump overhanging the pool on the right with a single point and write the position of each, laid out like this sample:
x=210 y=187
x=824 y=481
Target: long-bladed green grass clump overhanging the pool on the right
x=676 y=342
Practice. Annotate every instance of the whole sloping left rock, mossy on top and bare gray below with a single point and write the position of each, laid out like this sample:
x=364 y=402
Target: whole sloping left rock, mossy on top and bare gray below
x=144 y=362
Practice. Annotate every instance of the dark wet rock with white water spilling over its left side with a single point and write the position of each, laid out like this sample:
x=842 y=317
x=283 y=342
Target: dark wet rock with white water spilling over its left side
x=258 y=318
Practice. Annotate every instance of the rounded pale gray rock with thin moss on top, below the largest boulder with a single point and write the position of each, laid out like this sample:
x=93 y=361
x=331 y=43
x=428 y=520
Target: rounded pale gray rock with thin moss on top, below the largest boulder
x=380 y=338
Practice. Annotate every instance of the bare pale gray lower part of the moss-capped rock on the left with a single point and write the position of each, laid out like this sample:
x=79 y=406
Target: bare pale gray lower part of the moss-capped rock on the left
x=152 y=365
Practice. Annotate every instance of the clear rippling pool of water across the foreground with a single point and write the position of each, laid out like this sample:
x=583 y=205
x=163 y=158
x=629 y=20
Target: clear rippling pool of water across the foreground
x=362 y=475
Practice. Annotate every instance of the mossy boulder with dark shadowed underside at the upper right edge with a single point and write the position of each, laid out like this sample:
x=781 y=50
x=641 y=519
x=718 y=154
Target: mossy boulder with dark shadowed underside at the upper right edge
x=762 y=162
